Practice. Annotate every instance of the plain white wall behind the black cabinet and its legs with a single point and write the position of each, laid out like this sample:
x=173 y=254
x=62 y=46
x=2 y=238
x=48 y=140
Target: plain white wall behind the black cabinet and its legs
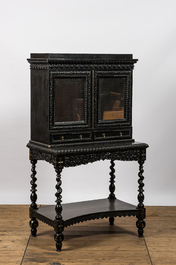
x=147 y=29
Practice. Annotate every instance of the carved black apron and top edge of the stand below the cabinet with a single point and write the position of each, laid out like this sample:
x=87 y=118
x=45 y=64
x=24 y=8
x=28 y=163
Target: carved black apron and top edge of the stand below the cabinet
x=72 y=158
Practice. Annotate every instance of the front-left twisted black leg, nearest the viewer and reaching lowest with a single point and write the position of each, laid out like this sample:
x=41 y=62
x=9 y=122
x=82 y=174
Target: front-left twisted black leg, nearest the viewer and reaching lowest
x=58 y=222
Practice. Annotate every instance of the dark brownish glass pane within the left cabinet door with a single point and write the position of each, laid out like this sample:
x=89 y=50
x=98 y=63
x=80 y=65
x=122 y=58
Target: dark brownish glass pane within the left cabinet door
x=69 y=99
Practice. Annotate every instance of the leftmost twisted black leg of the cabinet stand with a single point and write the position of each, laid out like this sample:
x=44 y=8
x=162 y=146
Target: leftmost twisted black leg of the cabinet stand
x=33 y=222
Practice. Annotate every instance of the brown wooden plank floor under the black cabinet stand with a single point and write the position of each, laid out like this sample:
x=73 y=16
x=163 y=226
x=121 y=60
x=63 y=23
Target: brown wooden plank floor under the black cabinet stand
x=92 y=242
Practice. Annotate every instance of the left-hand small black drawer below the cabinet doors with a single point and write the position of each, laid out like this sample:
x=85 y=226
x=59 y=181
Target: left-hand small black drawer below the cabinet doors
x=70 y=137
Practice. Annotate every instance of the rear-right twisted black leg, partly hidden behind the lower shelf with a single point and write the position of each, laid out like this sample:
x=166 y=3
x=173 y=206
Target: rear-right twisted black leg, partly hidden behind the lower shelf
x=112 y=187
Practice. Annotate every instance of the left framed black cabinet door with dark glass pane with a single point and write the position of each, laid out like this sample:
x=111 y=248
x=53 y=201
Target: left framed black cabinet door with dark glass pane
x=70 y=97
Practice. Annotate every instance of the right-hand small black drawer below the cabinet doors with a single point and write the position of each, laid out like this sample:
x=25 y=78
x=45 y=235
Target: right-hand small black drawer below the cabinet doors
x=114 y=134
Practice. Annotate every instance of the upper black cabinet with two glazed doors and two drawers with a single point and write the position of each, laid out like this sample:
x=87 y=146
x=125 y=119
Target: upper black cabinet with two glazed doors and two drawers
x=81 y=97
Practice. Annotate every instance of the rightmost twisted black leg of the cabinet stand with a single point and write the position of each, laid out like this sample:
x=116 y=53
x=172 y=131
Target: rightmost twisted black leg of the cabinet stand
x=140 y=222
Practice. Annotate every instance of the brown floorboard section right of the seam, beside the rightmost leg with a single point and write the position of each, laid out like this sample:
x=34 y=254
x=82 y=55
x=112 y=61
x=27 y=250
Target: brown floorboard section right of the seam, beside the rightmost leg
x=160 y=235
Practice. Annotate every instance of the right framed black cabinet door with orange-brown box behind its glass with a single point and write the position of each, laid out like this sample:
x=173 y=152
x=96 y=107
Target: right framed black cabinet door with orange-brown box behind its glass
x=112 y=98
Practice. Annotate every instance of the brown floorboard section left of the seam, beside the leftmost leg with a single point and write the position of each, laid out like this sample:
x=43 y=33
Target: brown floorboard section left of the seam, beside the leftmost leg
x=14 y=233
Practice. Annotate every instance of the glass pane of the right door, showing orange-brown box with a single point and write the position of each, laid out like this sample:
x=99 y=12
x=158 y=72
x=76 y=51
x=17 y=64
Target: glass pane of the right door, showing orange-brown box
x=111 y=98
